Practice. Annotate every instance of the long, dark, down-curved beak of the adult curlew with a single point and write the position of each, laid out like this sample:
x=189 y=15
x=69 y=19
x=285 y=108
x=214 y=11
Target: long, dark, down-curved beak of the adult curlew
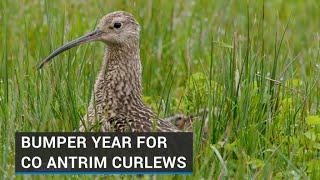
x=95 y=35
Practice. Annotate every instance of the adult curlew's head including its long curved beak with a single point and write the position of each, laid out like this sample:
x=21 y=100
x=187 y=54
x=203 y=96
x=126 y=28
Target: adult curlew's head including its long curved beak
x=116 y=28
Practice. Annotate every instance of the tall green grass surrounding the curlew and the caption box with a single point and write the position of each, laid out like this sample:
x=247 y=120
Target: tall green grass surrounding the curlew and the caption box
x=255 y=65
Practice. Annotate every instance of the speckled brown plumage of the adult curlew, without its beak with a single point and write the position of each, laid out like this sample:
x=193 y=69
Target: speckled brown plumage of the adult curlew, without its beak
x=117 y=93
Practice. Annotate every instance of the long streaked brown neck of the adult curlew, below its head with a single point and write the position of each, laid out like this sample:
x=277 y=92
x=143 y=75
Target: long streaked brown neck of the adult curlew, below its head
x=120 y=79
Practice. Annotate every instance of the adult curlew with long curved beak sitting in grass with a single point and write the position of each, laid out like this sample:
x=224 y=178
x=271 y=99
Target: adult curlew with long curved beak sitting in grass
x=116 y=102
